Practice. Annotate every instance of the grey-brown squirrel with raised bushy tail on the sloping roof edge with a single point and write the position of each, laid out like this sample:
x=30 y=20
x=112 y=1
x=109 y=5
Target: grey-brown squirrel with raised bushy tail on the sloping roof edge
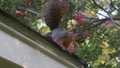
x=52 y=17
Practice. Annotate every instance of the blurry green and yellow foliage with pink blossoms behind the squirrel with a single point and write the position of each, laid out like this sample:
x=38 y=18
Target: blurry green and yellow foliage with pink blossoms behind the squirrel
x=98 y=20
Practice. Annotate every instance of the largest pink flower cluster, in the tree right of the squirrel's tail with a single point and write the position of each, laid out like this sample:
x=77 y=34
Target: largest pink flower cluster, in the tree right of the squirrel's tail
x=79 y=17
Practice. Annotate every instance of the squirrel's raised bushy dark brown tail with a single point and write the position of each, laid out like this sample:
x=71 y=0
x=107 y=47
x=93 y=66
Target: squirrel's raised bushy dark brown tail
x=54 y=12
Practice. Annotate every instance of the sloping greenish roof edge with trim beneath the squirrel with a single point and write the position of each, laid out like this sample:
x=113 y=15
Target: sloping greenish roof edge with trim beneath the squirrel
x=24 y=33
